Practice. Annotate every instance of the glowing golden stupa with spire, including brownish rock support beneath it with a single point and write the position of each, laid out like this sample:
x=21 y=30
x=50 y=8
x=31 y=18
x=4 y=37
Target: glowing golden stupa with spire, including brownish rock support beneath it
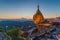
x=38 y=19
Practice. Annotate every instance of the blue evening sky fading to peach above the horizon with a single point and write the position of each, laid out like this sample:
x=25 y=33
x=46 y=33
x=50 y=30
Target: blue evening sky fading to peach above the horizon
x=15 y=9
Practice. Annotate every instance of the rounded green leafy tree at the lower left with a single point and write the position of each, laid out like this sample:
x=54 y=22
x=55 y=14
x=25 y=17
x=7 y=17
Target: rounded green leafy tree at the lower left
x=13 y=33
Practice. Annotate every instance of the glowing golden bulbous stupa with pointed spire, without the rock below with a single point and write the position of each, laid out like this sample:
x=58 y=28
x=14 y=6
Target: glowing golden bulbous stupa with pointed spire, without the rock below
x=38 y=17
